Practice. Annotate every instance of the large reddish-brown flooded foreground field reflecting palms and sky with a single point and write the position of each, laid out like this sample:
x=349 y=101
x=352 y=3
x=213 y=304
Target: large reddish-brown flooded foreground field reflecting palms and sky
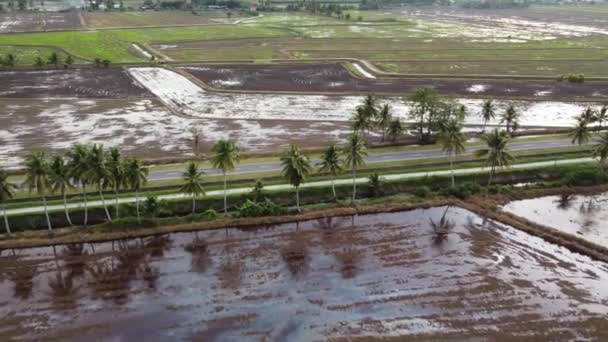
x=372 y=276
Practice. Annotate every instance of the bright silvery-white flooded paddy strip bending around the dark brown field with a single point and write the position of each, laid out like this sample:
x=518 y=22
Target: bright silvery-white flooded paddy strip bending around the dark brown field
x=184 y=96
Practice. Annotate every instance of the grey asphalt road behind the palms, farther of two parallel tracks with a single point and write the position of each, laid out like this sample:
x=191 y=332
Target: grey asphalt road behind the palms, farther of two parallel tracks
x=372 y=158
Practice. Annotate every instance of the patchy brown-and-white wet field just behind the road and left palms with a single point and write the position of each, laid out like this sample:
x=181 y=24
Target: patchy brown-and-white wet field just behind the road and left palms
x=143 y=127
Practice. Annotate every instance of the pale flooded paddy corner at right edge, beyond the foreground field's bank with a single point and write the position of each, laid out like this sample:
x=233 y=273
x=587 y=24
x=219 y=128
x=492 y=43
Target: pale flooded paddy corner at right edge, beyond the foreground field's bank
x=585 y=216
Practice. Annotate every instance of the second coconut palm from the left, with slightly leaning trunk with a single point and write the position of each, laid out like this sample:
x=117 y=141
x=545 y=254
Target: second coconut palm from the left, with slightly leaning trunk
x=37 y=177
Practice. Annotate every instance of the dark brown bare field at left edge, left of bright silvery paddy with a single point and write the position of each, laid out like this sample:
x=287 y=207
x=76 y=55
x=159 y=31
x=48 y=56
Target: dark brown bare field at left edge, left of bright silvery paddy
x=73 y=83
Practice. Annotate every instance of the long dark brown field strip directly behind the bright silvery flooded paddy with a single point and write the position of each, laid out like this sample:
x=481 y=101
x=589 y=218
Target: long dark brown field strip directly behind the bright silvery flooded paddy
x=334 y=78
